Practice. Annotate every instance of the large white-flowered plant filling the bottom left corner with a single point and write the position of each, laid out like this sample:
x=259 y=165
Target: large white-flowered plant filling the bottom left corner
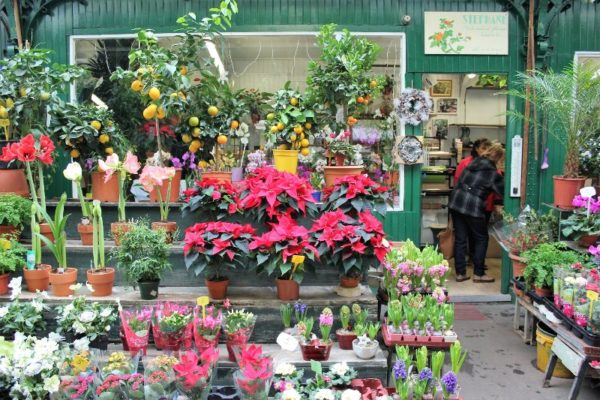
x=31 y=370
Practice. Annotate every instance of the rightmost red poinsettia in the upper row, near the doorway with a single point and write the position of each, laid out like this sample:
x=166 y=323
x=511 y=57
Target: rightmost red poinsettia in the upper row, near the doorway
x=354 y=194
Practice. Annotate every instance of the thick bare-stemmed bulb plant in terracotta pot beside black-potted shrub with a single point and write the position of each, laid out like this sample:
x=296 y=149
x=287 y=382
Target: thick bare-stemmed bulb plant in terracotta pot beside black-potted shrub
x=100 y=277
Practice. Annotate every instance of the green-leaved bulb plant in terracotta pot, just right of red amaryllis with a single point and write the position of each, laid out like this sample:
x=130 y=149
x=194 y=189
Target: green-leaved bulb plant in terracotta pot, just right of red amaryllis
x=62 y=277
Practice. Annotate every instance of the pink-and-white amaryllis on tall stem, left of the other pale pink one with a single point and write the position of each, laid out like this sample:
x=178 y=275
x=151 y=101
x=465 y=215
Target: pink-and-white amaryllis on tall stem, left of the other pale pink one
x=123 y=170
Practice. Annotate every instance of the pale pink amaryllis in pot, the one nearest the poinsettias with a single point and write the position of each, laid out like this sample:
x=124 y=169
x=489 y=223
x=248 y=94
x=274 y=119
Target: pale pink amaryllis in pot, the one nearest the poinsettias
x=152 y=179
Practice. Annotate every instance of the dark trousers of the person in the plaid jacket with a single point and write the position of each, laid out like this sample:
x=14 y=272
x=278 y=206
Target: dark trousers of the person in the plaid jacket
x=466 y=228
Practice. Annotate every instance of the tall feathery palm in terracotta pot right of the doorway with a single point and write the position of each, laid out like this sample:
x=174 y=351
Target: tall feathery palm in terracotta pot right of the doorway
x=570 y=100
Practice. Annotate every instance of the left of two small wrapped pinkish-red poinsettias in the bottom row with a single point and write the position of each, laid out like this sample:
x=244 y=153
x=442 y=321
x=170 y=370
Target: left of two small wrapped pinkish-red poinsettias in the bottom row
x=193 y=372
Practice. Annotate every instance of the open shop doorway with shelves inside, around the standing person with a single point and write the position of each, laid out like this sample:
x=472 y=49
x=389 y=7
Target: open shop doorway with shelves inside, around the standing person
x=467 y=107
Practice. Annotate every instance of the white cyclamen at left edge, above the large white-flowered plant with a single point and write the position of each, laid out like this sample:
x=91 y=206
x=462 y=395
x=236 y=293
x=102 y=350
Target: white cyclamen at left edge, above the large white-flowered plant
x=22 y=316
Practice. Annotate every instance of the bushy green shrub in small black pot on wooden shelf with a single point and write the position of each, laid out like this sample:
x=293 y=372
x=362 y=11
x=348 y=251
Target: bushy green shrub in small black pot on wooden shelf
x=143 y=256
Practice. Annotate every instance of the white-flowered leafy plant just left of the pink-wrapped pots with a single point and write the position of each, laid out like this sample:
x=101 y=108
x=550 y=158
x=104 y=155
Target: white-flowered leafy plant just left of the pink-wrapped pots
x=81 y=318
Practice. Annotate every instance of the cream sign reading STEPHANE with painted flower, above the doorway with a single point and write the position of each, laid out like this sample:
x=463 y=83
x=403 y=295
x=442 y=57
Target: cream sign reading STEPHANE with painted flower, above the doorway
x=466 y=33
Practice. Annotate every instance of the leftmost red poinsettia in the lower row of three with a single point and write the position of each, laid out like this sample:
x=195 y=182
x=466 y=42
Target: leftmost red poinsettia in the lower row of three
x=210 y=247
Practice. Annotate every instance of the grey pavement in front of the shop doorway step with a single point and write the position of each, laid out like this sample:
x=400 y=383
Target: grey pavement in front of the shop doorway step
x=500 y=365
